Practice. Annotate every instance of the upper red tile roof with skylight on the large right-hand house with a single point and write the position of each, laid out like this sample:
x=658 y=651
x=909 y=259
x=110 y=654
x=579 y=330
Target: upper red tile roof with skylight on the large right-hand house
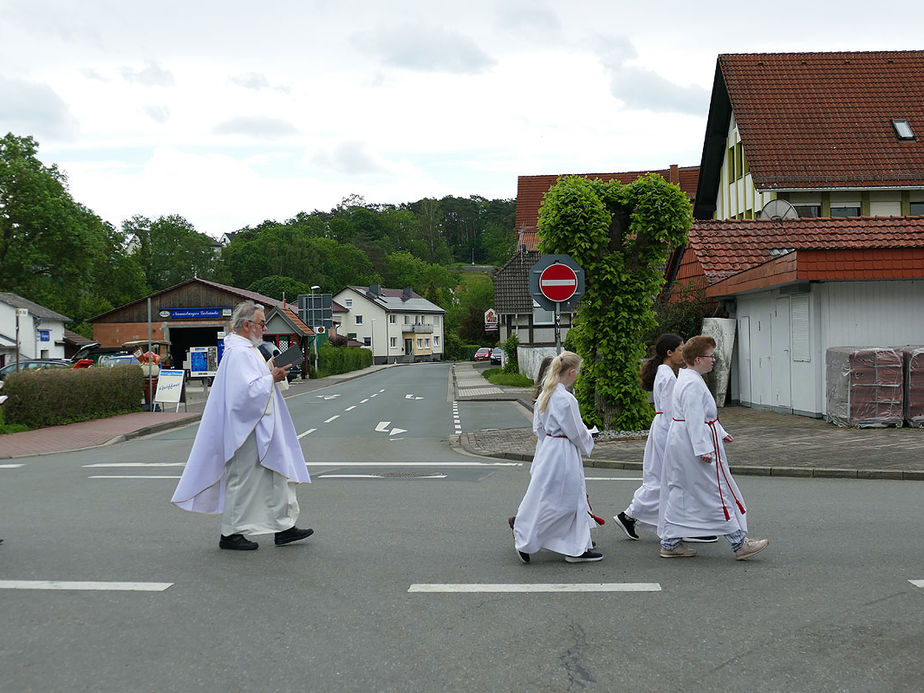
x=824 y=120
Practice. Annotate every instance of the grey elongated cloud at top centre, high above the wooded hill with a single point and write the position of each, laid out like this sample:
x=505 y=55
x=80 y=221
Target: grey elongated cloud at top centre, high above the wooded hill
x=428 y=49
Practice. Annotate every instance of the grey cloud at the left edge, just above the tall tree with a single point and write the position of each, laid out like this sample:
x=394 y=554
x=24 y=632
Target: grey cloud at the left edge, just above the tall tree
x=30 y=108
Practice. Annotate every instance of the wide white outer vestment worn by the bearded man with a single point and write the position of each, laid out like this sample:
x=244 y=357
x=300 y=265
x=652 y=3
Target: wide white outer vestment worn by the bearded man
x=244 y=402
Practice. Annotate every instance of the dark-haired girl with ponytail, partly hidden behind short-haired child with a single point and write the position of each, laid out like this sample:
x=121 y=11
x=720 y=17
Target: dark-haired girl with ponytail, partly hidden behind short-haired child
x=658 y=375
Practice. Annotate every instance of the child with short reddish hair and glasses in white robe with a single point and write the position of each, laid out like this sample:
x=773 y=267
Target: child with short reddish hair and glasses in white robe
x=701 y=494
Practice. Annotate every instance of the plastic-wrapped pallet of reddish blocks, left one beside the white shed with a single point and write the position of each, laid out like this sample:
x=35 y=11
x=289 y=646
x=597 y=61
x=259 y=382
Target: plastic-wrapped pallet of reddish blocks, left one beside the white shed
x=864 y=386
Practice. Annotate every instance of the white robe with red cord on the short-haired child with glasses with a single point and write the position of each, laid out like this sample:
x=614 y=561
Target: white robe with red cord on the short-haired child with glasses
x=698 y=498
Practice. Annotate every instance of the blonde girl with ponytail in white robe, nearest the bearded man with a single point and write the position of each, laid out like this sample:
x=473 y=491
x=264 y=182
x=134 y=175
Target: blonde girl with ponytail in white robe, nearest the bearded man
x=554 y=514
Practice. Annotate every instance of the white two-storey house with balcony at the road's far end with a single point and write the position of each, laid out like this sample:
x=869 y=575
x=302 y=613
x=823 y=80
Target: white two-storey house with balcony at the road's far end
x=398 y=325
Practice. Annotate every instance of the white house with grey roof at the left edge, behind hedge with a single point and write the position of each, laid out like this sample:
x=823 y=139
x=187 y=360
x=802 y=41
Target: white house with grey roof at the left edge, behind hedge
x=41 y=330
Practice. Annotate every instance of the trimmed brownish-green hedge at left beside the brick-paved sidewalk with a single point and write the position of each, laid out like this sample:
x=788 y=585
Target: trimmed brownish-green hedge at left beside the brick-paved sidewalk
x=64 y=395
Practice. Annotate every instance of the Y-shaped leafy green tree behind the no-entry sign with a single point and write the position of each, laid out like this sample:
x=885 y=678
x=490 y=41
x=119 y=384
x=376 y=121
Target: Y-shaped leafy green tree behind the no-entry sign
x=621 y=235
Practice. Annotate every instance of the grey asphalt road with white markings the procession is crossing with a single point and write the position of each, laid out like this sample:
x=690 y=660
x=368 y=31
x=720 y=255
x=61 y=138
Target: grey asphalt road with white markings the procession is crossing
x=830 y=606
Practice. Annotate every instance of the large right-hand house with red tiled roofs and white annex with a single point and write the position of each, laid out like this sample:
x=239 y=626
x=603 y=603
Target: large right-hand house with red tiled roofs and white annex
x=808 y=231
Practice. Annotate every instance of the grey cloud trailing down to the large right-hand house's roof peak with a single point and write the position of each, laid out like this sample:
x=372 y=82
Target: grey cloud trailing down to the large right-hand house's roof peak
x=643 y=89
